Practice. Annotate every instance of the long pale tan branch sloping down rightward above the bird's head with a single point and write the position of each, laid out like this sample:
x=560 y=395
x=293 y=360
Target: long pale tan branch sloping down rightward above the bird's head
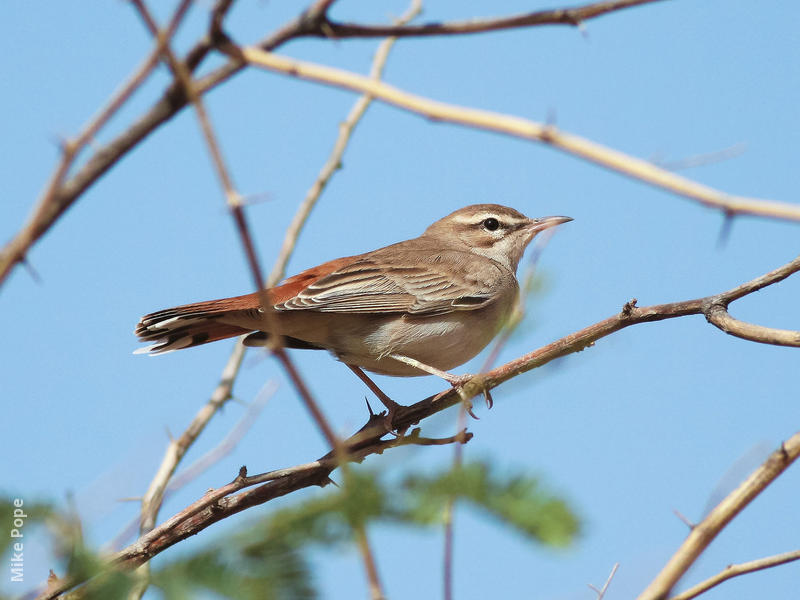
x=521 y=128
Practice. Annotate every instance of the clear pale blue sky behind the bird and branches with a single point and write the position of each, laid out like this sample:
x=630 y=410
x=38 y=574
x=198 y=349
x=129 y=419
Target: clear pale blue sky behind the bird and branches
x=656 y=418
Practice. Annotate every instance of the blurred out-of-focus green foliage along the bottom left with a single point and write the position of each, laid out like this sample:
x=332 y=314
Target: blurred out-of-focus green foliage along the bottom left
x=266 y=561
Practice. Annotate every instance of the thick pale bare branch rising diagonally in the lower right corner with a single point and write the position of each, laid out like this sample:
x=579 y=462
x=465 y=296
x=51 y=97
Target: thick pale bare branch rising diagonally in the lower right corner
x=705 y=531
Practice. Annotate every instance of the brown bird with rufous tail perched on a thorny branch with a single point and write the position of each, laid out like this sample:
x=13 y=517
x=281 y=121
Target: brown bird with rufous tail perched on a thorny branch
x=417 y=307
